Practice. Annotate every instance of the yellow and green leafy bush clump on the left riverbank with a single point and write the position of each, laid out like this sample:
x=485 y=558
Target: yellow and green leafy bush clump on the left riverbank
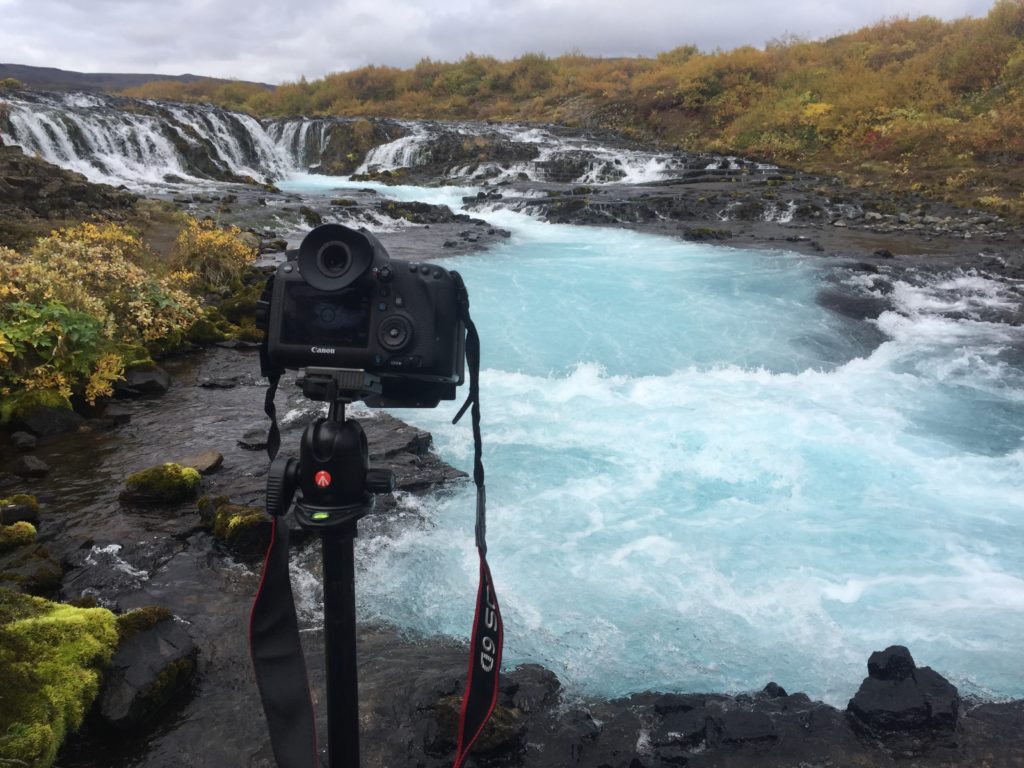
x=79 y=306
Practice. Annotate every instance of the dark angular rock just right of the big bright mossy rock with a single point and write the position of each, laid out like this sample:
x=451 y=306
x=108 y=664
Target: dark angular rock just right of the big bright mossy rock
x=149 y=670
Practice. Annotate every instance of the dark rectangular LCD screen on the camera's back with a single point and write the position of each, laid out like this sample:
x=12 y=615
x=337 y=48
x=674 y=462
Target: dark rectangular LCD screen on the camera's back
x=311 y=317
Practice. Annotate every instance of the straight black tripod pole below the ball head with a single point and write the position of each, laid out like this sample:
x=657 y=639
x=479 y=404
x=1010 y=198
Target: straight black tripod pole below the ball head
x=339 y=651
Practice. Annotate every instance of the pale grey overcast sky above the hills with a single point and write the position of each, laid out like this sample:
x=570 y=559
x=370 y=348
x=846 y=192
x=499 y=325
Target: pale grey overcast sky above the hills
x=281 y=40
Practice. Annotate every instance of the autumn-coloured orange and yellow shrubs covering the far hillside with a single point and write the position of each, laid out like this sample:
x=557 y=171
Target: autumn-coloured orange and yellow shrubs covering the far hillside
x=920 y=105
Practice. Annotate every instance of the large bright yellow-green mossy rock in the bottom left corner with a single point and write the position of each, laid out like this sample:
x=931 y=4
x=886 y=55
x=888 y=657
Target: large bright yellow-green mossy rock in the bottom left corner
x=52 y=660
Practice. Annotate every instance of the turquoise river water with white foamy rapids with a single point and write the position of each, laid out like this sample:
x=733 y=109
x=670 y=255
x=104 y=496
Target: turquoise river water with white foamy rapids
x=702 y=480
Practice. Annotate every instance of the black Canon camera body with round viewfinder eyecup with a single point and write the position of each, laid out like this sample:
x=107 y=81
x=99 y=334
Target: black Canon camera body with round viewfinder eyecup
x=344 y=304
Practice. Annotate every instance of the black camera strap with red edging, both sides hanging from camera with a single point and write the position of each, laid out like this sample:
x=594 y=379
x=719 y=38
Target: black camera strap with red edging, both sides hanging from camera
x=275 y=645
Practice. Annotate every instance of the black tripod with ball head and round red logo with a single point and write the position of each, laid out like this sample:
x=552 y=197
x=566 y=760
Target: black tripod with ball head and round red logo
x=337 y=490
